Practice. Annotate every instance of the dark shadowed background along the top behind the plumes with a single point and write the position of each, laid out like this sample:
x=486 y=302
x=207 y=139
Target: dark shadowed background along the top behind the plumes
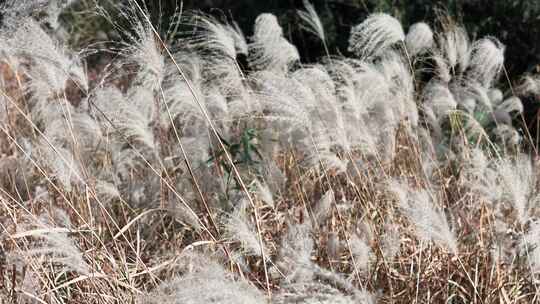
x=515 y=22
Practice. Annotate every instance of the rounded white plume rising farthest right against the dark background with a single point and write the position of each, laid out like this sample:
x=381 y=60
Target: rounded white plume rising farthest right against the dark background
x=487 y=61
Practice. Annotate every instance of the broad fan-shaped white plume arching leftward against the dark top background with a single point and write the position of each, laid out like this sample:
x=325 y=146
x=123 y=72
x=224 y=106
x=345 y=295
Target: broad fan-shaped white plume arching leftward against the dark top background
x=375 y=35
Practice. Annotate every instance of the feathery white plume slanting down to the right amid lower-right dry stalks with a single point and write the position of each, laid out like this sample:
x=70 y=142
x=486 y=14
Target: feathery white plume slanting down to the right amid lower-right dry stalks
x=421 y=209
